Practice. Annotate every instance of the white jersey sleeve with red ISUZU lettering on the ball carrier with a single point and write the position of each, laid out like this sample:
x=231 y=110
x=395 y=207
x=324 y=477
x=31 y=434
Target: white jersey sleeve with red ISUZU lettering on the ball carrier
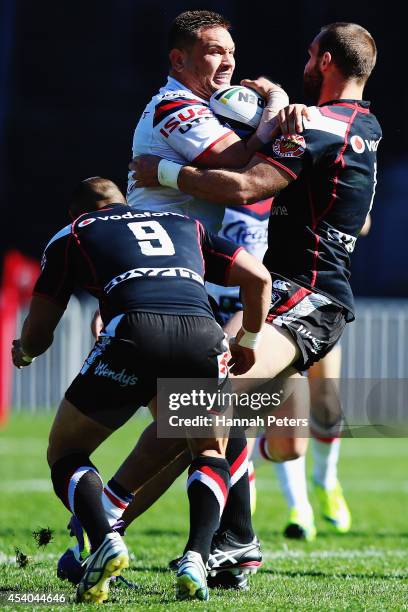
x=189 y=126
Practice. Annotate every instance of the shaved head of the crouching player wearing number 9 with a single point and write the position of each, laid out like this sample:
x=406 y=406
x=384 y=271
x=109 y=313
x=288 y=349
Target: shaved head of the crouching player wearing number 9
x=94 y=193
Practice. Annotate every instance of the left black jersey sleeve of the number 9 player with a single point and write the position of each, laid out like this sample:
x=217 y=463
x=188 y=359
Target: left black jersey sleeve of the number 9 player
x=56 y=281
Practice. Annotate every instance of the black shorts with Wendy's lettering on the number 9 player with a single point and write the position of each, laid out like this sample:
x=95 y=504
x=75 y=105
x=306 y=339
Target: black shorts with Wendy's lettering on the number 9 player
x=120 y=373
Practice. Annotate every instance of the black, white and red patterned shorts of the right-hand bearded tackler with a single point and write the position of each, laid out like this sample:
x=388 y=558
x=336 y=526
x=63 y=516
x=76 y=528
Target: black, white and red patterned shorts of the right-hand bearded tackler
x=312 y=319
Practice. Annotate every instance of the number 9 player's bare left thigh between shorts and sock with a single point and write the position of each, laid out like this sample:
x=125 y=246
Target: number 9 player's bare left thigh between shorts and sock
x=74 y=431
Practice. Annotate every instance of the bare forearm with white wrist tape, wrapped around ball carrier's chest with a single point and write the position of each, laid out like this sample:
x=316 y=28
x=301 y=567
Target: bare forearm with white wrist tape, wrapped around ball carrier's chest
x=226 y=187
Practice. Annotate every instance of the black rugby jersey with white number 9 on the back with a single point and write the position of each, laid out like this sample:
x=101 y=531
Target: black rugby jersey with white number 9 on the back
x=136 y=261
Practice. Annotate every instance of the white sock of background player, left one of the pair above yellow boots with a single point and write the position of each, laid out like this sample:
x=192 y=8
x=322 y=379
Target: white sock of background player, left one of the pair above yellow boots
x=292 y=478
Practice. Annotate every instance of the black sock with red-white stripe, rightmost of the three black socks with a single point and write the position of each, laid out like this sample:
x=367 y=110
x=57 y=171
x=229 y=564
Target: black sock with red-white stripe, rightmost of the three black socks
x=237 y=512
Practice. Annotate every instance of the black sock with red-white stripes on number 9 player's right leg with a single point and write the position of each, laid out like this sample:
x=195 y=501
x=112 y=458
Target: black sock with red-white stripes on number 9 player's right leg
x=207 y=488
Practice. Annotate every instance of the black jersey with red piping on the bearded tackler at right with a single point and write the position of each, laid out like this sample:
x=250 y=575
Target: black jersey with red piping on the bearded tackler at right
x=320 y=214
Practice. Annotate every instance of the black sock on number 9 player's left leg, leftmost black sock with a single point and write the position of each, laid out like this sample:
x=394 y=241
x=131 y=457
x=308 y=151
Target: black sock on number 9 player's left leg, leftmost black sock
x=78 y=484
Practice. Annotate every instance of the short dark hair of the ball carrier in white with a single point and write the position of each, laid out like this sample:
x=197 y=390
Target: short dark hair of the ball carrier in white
x=186 y=26
